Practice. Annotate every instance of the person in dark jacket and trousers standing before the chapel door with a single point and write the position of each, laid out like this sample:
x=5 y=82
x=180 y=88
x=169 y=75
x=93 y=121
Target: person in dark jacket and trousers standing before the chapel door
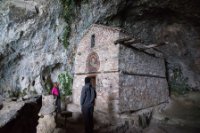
x=87 y=100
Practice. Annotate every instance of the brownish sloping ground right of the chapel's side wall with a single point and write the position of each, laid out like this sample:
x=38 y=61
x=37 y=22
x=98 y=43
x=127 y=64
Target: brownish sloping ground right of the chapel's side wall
x=181 y=115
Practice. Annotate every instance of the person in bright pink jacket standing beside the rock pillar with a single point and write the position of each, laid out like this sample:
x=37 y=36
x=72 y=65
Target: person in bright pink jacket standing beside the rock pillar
x=56 y=93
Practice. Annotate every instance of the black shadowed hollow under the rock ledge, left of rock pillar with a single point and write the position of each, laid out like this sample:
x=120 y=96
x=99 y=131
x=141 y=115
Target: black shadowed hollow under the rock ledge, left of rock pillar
x=26 y=120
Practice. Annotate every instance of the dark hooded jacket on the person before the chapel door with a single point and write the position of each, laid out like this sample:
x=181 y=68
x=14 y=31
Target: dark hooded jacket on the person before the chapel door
x=88 y=95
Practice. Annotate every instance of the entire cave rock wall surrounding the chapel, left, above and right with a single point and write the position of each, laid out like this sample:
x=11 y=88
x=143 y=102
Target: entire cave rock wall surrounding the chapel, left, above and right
x=32 y=32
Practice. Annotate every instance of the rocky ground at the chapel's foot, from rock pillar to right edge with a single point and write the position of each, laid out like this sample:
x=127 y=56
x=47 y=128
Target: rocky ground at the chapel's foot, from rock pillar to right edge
x=180 y=115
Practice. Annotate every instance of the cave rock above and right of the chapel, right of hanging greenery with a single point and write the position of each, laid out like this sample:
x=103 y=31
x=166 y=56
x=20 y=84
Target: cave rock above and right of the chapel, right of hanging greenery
x=176 y=24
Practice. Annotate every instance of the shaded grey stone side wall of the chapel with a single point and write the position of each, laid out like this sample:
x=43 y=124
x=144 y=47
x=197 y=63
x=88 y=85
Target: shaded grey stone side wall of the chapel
x=143 y=80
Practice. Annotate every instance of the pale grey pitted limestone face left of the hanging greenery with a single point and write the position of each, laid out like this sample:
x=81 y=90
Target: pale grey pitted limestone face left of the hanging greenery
x=30 y=44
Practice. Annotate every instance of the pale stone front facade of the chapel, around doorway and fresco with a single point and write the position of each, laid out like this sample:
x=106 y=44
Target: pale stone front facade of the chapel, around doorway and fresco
x=107 y=74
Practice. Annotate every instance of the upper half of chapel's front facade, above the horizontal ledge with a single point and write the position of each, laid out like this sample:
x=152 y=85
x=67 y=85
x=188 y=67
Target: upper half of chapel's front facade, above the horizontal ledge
x=104 y=47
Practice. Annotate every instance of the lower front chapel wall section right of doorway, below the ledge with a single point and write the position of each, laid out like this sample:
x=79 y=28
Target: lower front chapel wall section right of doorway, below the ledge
x=107 y=90
